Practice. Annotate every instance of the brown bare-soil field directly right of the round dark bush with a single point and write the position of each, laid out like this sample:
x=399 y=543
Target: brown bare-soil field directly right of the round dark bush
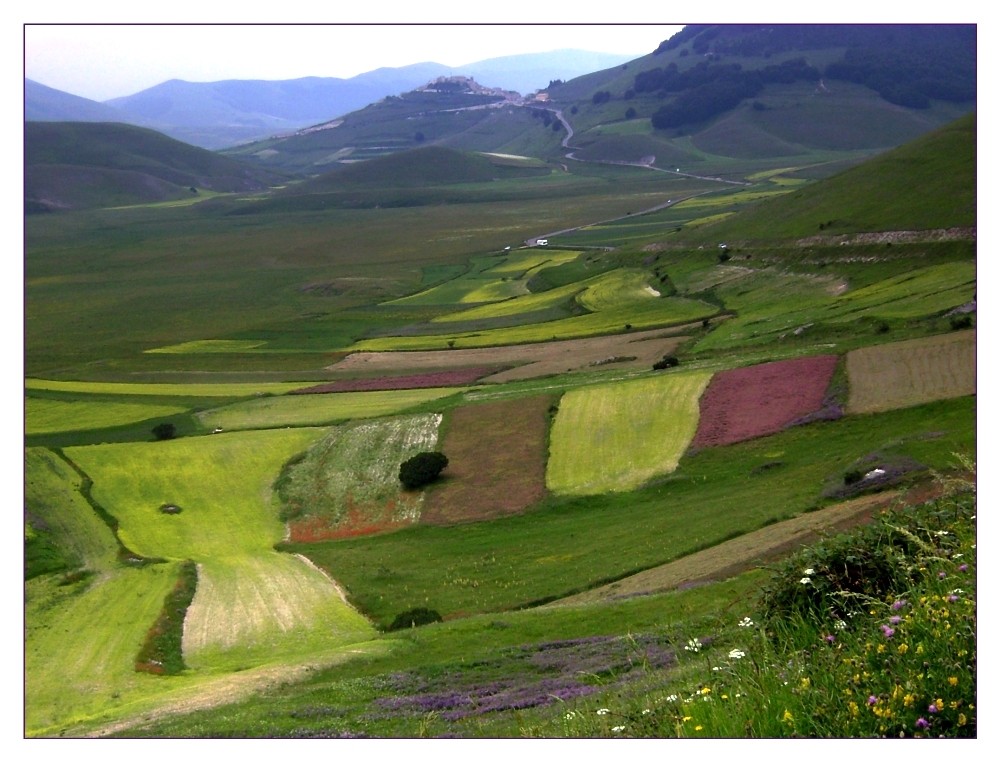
x=496 y=461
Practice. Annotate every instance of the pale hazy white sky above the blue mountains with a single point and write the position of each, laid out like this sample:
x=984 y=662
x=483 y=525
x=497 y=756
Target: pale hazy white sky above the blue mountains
x=103 y=61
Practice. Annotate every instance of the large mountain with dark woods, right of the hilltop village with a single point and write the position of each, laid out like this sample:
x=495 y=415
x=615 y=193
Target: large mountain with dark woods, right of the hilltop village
x=755 y=90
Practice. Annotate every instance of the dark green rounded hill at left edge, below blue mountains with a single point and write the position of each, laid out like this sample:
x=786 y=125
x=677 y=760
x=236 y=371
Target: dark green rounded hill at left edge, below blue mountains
x=75 y=165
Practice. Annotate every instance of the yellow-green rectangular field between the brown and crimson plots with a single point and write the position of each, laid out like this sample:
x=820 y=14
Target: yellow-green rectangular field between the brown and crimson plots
x=616 y=437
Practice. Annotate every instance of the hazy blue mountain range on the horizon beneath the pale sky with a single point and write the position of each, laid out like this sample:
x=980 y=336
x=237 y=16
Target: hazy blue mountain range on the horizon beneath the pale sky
x=227 y=113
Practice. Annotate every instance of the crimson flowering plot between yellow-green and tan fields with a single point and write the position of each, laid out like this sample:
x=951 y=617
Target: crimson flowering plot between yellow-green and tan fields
x=758 y=400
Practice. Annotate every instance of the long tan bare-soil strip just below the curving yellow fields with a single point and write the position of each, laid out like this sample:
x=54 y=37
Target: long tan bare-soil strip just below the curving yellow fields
x=631 y=350
